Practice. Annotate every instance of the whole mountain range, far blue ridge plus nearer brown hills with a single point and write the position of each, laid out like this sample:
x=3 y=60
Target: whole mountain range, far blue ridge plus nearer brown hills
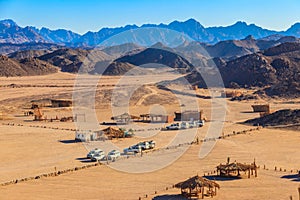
x=271 y=63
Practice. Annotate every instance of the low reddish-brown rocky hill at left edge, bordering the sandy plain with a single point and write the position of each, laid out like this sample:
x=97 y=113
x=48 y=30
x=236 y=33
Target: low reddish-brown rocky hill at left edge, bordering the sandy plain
x=24 y=67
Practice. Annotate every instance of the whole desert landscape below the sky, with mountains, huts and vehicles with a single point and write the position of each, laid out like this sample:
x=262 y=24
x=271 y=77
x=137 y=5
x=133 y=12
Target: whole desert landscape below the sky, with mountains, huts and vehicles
x=233 y=138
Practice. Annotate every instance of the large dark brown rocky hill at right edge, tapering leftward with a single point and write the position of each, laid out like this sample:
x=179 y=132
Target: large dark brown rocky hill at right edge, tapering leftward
x=277 y=69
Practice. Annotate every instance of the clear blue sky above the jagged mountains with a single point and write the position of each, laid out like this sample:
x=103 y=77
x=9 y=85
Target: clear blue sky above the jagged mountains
x=84 y=15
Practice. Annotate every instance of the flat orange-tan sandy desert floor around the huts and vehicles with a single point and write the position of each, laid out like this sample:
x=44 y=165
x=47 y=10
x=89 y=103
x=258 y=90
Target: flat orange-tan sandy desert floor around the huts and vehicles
x=30 y=148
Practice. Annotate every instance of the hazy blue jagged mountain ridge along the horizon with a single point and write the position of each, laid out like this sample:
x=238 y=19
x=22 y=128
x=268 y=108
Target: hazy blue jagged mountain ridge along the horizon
x=10 y=32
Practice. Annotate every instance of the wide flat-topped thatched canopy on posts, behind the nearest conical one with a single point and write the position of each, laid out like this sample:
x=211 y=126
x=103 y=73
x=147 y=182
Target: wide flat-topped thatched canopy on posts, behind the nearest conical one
x=231 y=169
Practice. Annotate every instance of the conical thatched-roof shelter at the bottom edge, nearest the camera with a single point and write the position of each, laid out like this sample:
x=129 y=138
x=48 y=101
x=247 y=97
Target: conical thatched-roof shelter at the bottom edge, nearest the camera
x=197 y=185
